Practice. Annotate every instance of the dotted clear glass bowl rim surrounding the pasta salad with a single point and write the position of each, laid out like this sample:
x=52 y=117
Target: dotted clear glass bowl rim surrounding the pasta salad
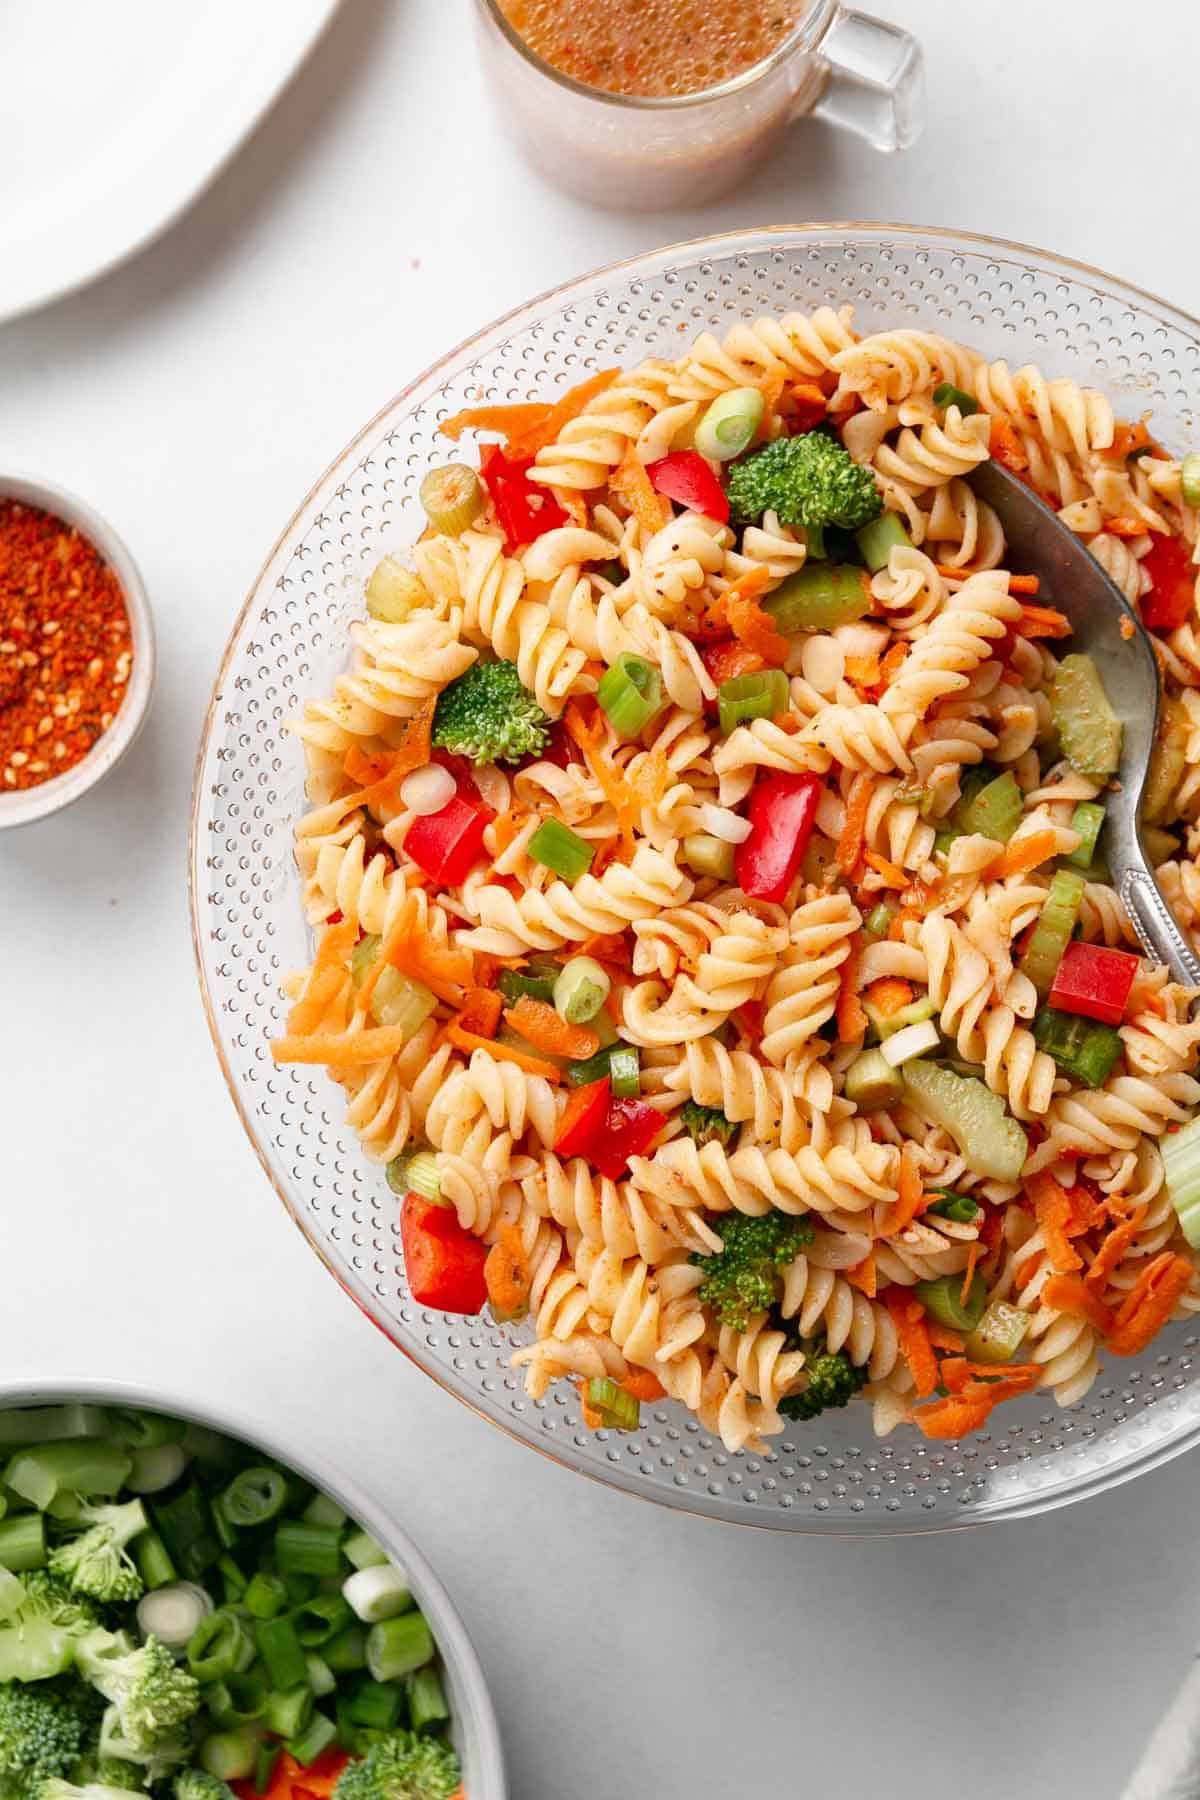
x=291 y=642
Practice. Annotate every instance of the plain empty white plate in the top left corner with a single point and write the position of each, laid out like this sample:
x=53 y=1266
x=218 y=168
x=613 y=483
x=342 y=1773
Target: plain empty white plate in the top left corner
x=118 y=114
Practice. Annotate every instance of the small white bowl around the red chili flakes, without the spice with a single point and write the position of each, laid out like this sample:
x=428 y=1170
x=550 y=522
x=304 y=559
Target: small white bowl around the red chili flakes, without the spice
x=24 y=805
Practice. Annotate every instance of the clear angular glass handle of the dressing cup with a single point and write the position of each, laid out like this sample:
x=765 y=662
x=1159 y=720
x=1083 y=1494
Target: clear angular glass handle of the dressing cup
x=875 y=80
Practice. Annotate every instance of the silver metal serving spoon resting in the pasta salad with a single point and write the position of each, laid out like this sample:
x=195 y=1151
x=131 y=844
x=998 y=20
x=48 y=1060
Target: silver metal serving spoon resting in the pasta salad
x=1075 y=582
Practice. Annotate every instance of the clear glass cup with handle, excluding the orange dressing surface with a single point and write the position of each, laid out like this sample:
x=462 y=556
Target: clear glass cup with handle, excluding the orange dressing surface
x=627 y=150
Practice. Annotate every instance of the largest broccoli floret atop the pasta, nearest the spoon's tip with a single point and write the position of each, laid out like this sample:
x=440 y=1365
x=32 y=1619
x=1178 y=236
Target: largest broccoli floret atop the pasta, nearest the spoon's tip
x=809 y=481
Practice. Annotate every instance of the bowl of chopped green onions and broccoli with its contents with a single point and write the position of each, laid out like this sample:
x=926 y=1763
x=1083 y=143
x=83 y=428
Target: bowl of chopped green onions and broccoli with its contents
x=190 y=1614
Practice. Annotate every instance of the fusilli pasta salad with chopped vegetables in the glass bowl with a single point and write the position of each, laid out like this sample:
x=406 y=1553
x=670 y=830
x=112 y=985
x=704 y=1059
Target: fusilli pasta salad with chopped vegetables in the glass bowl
x=706 y=867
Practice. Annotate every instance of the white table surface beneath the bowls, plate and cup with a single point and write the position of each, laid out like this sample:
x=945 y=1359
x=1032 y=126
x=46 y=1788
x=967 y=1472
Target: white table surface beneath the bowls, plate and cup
x=373 y=222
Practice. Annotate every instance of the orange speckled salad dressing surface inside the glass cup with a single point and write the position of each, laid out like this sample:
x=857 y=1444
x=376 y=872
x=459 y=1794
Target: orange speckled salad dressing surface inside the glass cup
x=654 y=48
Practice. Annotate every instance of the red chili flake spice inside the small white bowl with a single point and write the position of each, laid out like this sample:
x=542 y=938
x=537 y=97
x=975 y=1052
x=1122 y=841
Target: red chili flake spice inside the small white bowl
x=66 y=645
